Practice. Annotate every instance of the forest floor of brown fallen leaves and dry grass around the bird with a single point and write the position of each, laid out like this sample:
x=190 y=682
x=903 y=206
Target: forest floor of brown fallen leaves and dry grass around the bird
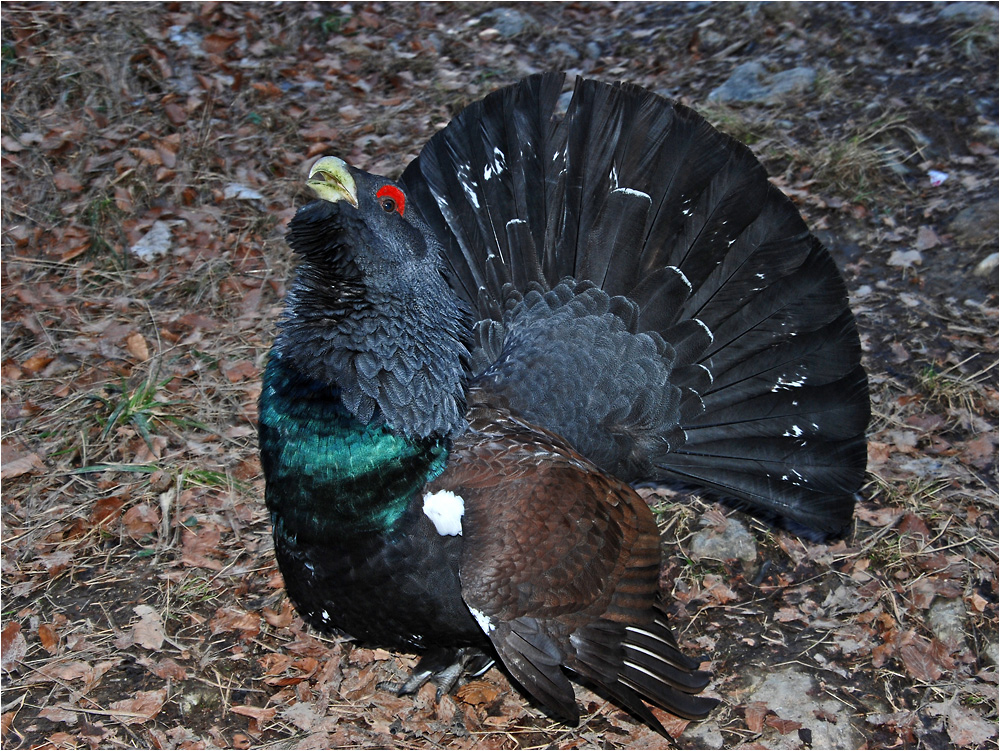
x=152 y=157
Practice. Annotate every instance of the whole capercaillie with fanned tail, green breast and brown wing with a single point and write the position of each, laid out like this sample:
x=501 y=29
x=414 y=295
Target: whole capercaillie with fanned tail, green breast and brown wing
x=478 y=363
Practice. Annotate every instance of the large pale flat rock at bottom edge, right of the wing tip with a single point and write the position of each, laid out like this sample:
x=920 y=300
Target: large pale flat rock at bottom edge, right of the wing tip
x=792 y=694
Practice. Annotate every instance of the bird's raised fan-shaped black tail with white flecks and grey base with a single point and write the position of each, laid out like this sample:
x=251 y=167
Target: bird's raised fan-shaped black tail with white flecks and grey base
x=694 y=248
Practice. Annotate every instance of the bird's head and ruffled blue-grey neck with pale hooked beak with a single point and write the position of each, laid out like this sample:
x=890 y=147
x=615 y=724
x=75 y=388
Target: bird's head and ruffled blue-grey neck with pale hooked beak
x=370 y=310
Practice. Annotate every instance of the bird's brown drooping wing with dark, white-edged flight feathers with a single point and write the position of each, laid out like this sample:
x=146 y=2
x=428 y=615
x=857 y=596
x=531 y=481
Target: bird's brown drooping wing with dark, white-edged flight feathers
x=560 y=566
